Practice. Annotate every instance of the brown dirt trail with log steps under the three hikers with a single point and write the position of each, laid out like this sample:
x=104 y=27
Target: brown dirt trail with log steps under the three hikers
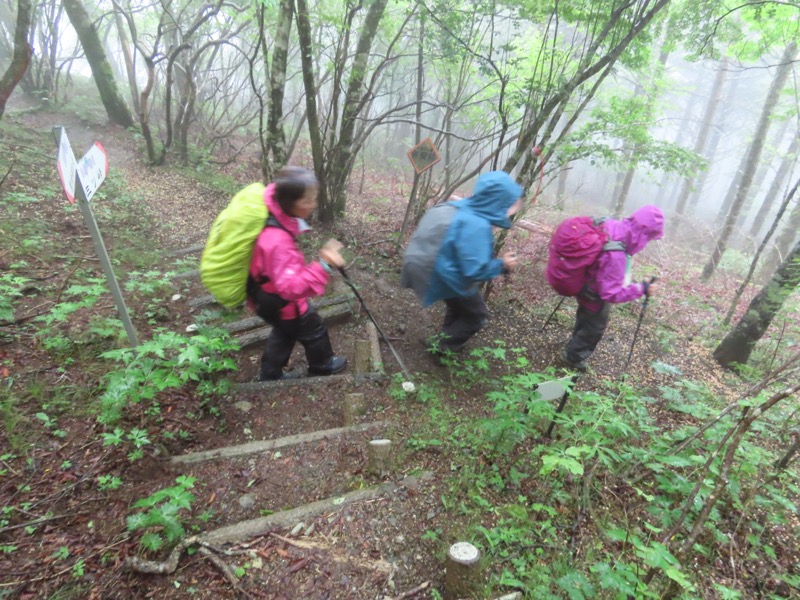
x=368 y=549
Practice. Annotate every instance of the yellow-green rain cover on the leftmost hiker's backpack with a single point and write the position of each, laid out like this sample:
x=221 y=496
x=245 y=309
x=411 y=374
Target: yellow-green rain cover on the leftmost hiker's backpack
x=225 y=264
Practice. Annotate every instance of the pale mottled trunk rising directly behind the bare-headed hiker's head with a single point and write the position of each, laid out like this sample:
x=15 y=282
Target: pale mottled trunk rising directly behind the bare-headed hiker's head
x=276 y=138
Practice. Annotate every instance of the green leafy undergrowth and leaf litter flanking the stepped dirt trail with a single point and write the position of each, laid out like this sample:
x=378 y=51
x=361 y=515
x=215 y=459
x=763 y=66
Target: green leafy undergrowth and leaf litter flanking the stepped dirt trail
x=665 y=477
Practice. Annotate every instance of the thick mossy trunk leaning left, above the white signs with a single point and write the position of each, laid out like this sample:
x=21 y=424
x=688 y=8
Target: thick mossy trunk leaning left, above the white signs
x=118 y=111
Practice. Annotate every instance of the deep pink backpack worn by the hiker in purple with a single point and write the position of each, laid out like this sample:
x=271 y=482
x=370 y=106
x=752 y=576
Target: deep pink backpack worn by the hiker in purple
x=575 y=246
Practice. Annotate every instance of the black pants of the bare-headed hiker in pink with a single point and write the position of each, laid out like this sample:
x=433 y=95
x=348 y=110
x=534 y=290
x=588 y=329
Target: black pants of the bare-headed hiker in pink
x=309 y=330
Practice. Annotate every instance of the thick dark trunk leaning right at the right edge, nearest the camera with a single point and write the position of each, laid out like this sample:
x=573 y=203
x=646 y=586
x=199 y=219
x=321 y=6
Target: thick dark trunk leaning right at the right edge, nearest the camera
x=740 y=341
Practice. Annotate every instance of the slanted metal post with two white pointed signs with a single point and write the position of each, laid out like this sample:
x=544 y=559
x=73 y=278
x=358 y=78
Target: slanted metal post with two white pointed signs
x=80 y=181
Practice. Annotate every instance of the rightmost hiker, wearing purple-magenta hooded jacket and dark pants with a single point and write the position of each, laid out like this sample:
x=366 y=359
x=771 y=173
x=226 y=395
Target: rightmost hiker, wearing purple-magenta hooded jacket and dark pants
x=609 y=282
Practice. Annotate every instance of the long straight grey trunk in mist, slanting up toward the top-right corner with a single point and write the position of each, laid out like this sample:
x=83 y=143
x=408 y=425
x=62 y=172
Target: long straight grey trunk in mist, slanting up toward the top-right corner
x=753 y=156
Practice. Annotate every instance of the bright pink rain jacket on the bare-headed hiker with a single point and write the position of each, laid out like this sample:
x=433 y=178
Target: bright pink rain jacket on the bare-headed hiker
x=277 y=257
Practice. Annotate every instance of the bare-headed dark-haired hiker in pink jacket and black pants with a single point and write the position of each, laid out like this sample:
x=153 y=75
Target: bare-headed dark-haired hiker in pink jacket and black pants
x=281 y=281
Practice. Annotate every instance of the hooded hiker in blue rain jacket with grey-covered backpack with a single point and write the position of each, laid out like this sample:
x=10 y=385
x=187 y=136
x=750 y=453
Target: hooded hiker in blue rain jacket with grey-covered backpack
x=451 y=254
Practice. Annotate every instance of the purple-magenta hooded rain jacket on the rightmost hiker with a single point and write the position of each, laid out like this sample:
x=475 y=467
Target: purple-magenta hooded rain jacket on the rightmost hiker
x=607 y=276
